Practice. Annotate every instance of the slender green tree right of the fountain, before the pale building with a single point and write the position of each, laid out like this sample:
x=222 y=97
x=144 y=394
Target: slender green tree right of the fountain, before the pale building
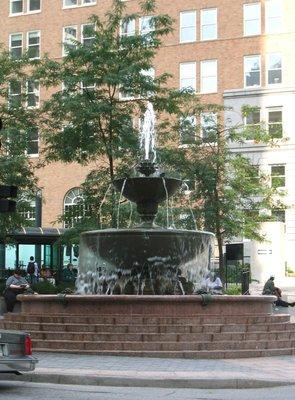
x=230 y=195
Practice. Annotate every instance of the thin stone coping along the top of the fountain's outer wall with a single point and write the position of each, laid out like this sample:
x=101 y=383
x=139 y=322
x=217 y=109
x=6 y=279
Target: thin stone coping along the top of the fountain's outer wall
x=145 y=298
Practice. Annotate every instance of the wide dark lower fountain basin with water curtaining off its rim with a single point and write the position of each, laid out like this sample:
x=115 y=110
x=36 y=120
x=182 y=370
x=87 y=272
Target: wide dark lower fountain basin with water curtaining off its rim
x=143 y=261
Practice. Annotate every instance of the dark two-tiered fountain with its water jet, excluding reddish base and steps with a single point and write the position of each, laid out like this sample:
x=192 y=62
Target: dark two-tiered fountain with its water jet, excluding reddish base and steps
x=146 y=259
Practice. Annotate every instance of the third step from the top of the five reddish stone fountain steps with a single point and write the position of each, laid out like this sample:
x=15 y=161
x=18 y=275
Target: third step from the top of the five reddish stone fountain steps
x=162 y=337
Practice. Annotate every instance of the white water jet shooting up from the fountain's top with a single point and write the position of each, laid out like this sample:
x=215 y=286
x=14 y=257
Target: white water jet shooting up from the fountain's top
x=147 y=133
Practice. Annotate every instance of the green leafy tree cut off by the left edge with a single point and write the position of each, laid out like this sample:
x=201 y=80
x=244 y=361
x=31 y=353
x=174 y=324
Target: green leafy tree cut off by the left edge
x=19 y=124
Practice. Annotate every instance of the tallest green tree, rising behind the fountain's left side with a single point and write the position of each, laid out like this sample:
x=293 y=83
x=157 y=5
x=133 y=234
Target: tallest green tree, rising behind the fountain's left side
x=101 y=85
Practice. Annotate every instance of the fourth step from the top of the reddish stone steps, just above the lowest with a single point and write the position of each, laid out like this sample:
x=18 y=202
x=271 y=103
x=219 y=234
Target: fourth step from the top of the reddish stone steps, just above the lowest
x=164 y=346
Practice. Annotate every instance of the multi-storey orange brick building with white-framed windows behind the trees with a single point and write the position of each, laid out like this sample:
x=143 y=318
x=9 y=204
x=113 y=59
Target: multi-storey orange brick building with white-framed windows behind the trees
x=231 y=52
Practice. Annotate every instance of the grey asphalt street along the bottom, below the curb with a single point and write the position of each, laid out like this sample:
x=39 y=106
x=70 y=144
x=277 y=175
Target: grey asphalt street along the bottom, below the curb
x=37 y=391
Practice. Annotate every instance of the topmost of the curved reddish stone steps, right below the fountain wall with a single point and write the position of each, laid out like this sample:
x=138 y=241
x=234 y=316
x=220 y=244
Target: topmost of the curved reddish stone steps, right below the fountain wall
x=150 y=320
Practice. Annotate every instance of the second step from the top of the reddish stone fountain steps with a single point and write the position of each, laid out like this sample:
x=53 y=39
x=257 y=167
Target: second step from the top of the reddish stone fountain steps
x=174 y=329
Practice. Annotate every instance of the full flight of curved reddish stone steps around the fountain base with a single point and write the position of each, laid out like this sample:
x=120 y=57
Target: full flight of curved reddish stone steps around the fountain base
x=196 y=336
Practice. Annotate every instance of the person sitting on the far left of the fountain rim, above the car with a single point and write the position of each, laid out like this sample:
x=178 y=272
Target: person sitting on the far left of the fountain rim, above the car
x=15 y=284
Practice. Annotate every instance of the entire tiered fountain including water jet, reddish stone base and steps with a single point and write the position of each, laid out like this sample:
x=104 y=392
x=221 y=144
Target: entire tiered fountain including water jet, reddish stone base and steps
x=137 y=291
